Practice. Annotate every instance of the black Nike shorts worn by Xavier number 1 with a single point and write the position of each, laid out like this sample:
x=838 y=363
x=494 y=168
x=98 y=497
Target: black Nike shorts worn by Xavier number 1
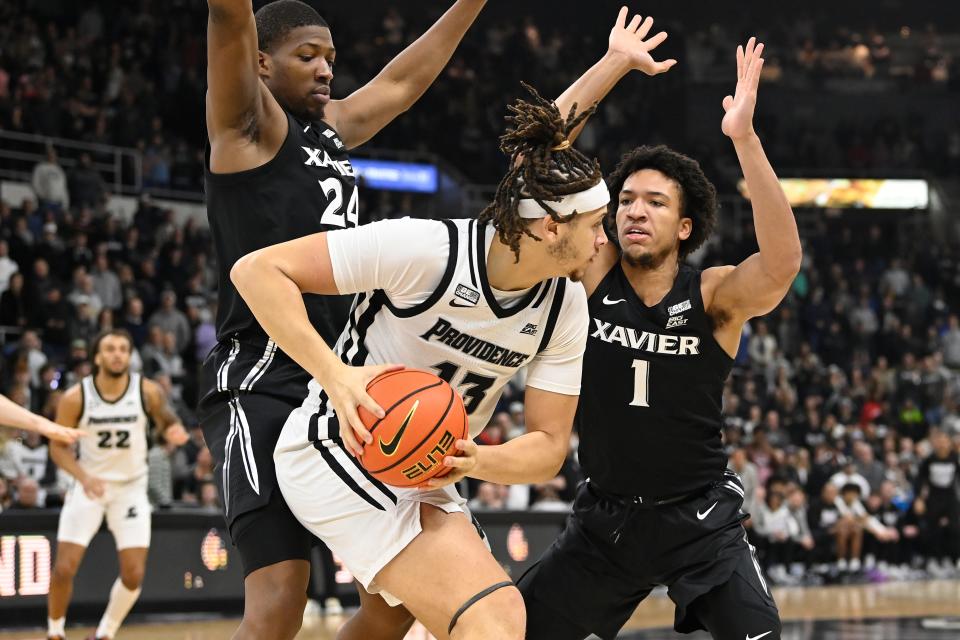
x=591 y=581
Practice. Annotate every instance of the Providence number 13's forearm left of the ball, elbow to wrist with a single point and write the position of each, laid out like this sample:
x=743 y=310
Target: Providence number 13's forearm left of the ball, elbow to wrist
x=277 y=303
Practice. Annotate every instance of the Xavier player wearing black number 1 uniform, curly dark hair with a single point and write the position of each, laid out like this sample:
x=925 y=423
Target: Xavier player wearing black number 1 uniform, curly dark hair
x=659 y=506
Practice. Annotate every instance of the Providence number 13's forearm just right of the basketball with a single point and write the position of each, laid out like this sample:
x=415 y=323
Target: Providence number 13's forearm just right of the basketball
x=534 y=457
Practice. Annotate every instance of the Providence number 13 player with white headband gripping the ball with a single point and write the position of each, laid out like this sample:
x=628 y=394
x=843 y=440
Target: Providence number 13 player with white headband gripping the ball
x=473 y=300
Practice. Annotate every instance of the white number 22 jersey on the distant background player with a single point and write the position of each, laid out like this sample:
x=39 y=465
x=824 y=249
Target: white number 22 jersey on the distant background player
x=116 y=447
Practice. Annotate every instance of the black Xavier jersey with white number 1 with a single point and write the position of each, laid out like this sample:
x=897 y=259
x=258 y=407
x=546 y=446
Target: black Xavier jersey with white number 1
x=650 y=407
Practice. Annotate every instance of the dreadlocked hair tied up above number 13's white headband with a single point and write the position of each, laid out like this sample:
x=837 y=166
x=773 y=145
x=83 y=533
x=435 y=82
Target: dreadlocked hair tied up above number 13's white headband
x=542 y=166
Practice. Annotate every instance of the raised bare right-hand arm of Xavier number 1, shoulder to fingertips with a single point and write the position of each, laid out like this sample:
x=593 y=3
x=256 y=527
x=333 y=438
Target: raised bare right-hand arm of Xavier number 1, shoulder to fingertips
x=757 y=285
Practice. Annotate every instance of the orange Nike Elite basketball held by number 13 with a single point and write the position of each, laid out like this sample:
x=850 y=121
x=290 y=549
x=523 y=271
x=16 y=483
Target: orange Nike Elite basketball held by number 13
x=424 y=417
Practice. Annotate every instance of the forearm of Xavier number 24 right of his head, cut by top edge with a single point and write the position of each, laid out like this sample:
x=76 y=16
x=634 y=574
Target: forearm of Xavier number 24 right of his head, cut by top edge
x=417 y=66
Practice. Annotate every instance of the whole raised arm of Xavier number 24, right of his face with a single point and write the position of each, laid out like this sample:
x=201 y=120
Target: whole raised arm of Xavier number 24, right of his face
x=359 y=116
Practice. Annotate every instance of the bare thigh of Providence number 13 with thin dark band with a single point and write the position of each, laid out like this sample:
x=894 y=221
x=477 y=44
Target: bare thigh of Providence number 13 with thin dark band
x=442 y=569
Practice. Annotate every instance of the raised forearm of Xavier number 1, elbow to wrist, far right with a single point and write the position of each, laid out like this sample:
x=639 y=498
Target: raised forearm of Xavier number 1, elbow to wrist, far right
x=773 y=219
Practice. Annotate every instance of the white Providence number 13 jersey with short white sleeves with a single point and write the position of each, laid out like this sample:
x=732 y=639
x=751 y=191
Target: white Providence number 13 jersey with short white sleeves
x=458 y=327
